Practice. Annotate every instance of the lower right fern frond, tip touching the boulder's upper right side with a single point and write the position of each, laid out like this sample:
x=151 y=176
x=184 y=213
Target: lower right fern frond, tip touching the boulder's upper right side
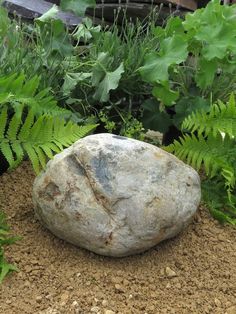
x=213 y=153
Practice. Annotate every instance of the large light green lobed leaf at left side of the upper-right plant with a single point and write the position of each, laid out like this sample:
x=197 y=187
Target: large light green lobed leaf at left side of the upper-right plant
x=173 y=50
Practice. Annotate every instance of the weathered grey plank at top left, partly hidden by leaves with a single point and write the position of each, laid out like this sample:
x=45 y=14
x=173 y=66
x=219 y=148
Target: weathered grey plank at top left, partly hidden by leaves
x=31 y=9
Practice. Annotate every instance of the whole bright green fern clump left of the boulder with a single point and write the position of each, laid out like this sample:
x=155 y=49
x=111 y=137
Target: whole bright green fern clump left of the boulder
x=31 y=123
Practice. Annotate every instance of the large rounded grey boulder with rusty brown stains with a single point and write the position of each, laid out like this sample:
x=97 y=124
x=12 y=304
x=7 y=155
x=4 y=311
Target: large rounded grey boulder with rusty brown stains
x=115 y=196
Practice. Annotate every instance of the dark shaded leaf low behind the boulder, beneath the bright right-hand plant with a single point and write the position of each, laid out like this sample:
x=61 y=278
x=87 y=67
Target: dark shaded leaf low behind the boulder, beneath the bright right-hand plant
x=153 y=118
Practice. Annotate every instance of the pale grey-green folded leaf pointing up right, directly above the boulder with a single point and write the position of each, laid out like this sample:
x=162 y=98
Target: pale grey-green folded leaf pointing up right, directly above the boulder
x=109 y=82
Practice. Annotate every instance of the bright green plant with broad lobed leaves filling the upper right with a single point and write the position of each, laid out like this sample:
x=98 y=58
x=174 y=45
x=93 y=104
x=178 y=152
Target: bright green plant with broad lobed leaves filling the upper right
x=194 y=65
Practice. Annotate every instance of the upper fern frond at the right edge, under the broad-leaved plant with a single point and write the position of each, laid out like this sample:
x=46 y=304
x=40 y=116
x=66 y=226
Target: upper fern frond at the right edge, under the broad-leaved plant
x=220 y=119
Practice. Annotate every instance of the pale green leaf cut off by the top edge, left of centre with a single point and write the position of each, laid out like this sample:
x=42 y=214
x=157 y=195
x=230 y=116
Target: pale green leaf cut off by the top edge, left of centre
x=77 y=6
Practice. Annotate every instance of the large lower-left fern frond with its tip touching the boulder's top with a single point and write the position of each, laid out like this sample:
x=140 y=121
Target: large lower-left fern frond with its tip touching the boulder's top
x=38 y=138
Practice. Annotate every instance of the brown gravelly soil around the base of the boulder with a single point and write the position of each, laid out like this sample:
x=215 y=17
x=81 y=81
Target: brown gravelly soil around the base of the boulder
x=56 y=277
